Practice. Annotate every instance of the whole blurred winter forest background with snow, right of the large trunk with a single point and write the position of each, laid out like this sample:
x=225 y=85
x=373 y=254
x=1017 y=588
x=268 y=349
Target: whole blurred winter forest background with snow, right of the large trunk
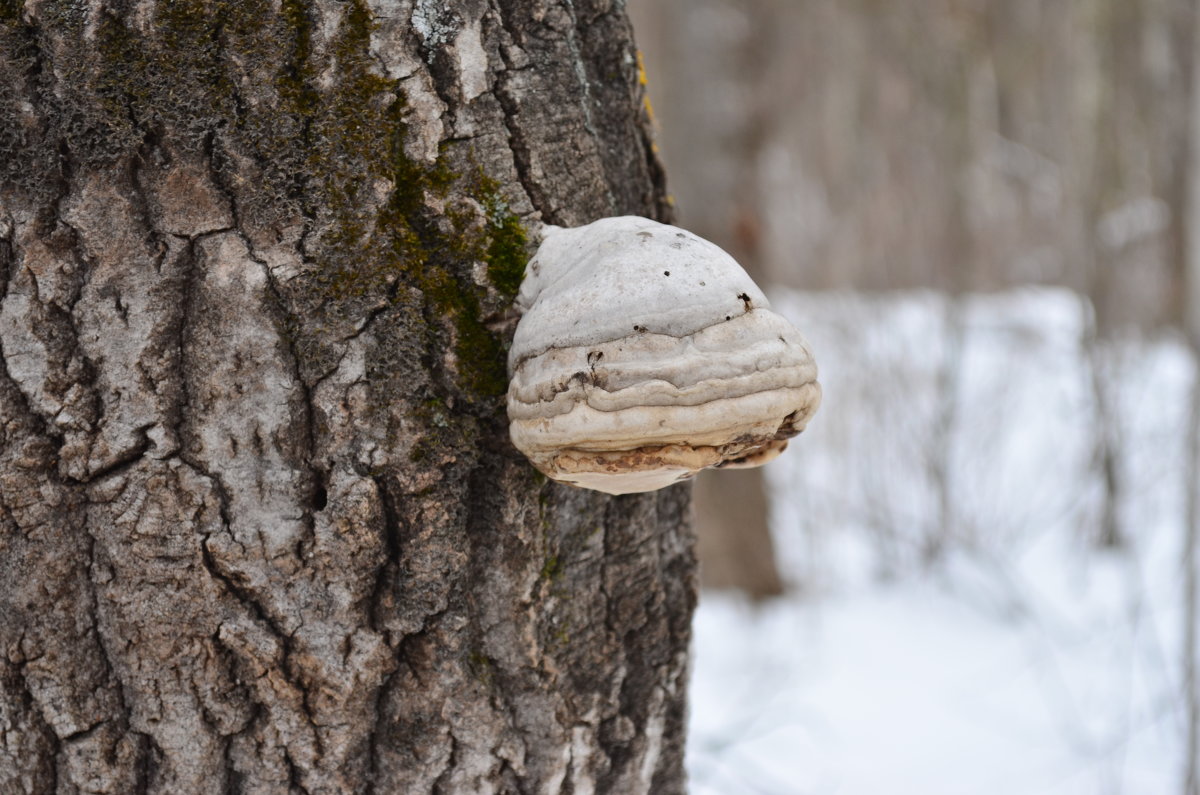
x=980 y=213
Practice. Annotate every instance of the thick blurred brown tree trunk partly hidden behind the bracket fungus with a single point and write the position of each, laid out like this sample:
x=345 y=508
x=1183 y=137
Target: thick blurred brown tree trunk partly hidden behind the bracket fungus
x=717 y=45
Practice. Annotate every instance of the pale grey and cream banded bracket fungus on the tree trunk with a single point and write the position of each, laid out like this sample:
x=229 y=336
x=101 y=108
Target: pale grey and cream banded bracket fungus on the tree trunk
x=646 y=355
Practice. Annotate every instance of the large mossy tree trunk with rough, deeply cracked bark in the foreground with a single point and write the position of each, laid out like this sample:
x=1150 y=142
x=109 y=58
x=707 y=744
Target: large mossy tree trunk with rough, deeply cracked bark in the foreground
x=261 y=527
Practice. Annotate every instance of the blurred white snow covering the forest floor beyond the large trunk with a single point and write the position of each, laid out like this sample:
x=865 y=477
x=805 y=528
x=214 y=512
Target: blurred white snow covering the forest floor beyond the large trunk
x=953 y=625
